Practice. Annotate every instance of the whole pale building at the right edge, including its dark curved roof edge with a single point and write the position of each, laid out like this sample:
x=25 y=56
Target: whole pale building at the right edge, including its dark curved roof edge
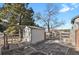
x=75 y=32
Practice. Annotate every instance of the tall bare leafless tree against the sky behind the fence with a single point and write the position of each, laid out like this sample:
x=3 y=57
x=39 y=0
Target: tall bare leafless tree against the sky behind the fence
x=49 y=17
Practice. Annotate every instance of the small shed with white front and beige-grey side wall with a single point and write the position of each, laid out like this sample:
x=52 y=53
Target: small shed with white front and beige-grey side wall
x=33 y=34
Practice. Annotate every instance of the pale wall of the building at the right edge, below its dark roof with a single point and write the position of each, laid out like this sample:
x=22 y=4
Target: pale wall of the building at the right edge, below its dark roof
x=74 y=32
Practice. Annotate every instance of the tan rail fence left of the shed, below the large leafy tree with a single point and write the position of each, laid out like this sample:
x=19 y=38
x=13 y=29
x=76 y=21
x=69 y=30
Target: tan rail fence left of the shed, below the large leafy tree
x=11 y=39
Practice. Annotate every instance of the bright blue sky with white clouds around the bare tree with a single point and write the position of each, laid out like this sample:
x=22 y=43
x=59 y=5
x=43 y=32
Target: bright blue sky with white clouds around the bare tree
x=66 y=12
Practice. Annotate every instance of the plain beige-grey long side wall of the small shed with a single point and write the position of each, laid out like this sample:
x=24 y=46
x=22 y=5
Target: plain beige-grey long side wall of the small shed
x=37 y=35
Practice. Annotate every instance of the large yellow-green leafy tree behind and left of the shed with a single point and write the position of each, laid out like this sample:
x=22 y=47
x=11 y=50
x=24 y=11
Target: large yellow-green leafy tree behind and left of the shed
x=17 y=15
